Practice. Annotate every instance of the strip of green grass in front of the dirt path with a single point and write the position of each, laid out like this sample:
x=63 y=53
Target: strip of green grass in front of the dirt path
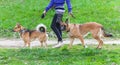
x=77 y=55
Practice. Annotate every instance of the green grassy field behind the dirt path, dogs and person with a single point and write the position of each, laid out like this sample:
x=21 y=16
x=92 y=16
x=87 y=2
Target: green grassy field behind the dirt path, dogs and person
x=27 y=12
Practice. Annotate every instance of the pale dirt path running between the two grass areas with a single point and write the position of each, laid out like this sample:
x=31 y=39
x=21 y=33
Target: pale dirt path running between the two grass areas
x=17 y=43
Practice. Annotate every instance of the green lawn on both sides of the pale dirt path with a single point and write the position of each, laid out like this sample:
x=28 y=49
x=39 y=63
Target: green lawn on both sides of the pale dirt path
x=28 y=12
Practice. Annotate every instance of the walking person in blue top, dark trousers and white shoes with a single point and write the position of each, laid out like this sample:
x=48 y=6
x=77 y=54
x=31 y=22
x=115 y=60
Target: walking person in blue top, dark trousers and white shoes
x=59 y=11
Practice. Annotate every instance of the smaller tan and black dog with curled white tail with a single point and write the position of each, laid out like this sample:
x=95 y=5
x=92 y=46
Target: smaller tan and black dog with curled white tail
x=29 y=35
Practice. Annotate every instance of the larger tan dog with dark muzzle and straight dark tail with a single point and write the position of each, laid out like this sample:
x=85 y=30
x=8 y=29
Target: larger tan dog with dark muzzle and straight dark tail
x=80 y=30
